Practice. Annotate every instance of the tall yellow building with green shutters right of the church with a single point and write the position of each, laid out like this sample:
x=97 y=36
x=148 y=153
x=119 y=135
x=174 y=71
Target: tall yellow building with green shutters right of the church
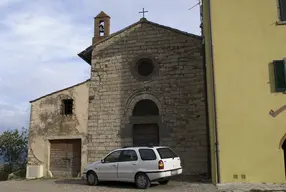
x=245 y=53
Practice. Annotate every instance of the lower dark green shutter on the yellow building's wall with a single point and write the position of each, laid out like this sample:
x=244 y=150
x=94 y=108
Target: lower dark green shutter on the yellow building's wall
x=279 y=73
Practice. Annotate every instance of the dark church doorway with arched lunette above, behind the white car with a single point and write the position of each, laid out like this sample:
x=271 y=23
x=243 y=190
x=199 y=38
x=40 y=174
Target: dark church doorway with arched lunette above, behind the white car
x=145 y=133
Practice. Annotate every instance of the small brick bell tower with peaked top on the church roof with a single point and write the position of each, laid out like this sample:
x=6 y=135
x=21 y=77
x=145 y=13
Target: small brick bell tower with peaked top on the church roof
x=101 y=27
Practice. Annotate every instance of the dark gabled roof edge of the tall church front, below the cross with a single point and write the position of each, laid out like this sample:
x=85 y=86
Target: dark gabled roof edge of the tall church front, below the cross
x=87 y=53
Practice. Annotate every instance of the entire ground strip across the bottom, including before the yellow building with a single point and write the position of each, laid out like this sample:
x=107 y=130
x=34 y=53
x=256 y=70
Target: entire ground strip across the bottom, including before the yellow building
x=74 y=185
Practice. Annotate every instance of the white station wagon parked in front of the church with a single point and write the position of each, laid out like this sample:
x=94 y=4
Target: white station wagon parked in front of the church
x=140 y=165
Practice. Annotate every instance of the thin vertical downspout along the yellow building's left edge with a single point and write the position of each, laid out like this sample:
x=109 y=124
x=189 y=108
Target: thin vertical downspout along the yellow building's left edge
x=214 y=97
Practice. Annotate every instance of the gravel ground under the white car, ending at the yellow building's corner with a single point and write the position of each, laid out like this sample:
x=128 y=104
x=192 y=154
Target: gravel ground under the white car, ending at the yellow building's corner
x=49 y=185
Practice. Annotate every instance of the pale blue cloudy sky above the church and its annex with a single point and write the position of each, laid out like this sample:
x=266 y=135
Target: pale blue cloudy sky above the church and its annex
x=40 y=40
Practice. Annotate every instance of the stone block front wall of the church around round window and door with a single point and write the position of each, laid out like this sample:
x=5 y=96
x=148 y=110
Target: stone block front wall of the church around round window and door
x=177 y=88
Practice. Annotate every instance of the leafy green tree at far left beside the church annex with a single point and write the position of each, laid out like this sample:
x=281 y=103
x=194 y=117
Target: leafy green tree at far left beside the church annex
x=14 y=149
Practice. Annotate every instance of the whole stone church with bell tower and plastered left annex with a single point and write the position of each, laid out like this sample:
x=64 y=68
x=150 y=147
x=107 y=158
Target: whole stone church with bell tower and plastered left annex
x=146 y=87
